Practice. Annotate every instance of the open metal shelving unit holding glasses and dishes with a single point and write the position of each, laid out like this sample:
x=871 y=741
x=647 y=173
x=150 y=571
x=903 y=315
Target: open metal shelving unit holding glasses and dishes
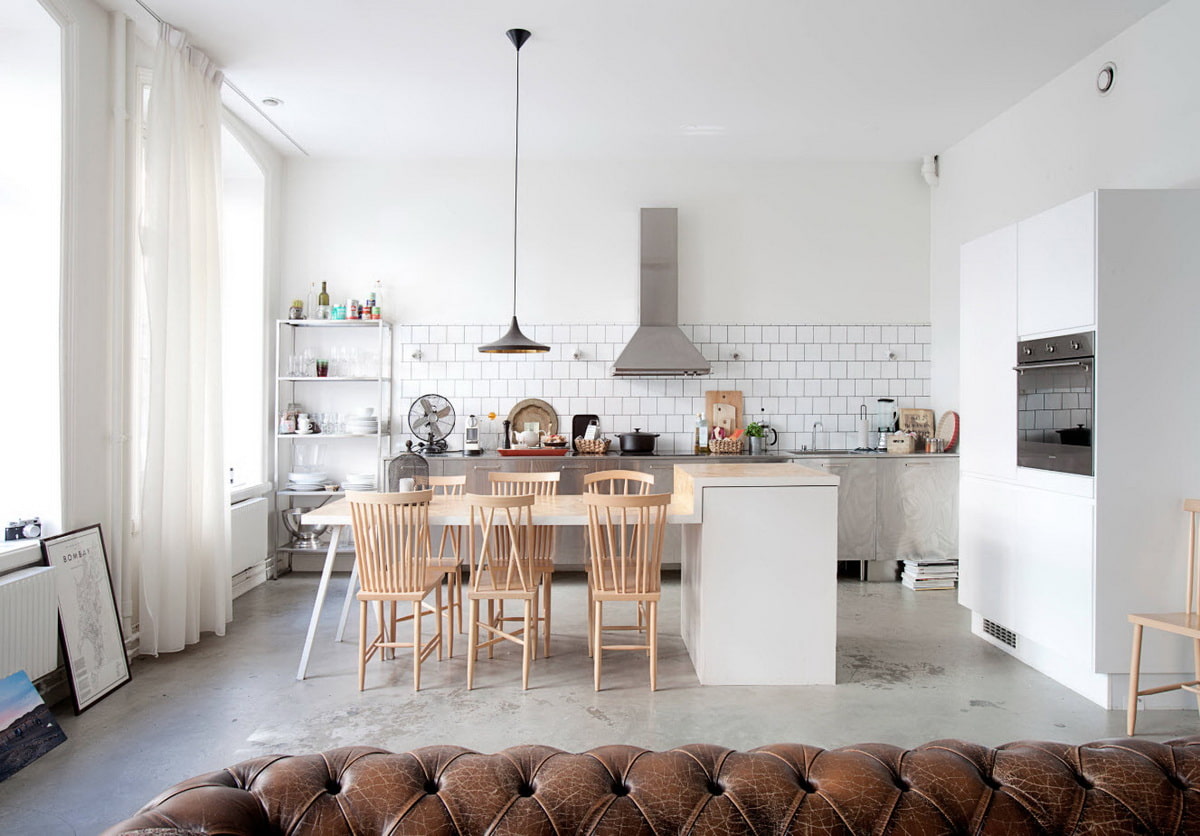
x=291 y=335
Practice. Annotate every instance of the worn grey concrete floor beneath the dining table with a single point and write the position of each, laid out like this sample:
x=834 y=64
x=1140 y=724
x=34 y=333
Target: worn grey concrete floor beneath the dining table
x=909 y=671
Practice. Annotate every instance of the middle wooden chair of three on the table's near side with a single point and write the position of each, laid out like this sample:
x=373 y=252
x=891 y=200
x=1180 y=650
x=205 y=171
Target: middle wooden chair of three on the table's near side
x=502 y=570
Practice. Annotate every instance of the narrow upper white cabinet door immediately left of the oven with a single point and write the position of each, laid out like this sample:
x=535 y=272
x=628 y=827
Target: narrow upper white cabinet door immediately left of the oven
x=988 y=346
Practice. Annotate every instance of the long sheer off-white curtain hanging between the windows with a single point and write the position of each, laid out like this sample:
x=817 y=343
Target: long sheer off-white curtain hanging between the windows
x=182 y=540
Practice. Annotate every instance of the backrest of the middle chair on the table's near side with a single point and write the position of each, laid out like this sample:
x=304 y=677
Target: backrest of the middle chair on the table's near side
x=501 y=531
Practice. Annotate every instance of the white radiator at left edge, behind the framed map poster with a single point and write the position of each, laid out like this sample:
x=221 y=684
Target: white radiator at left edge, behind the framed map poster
x=29 y=623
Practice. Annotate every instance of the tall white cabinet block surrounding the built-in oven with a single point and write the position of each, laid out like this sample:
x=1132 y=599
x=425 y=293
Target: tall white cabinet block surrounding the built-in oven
x=1053 y=563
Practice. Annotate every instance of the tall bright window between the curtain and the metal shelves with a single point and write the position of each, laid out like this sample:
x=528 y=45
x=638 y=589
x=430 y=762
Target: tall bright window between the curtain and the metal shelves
x=244 y=299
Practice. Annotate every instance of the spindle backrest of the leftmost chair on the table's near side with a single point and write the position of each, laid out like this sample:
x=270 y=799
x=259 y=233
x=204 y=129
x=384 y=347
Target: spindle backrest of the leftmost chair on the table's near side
x=392 y=543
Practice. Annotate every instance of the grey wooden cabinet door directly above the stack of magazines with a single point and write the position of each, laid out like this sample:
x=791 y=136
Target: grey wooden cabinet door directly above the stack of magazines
x=917 y=508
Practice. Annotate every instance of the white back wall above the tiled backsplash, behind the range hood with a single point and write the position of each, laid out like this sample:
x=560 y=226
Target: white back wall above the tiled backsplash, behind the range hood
x=759 y=243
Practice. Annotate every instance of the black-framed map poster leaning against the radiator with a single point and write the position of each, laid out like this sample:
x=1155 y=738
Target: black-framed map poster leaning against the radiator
x=92 y=633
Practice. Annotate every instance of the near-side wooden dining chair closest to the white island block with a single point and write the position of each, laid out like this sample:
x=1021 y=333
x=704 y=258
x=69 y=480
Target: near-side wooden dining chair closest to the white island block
x=626 y=540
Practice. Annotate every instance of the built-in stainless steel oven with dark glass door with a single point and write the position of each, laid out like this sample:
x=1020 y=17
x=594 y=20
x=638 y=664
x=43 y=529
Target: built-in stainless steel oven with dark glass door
x=1055 y=381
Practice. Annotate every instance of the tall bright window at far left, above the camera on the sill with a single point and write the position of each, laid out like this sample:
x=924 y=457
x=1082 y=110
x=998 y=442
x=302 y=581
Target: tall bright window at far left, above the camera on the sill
x=31 y=212
